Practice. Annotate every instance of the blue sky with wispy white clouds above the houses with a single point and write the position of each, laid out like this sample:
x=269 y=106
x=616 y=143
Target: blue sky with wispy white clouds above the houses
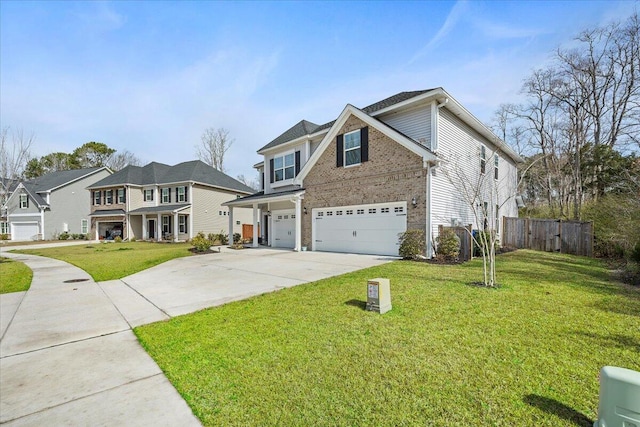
x=149 y=77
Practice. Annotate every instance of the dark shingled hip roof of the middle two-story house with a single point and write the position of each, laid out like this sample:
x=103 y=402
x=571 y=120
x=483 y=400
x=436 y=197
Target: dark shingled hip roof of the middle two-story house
x=158 y=173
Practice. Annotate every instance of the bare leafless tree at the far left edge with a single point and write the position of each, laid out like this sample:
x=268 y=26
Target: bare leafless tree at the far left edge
x=15 y=149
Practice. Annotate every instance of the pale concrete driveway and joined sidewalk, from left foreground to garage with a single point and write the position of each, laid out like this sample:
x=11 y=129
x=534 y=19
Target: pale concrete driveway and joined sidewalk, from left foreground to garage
x=67 y=352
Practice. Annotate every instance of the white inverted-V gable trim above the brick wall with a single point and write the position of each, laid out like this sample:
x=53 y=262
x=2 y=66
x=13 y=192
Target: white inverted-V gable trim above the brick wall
x=348 y=111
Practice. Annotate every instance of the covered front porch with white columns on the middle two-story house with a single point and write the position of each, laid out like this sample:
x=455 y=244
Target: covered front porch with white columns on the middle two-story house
x=162 y=223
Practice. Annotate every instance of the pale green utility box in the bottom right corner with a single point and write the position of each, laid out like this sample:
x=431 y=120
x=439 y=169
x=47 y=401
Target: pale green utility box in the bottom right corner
x=619 y=398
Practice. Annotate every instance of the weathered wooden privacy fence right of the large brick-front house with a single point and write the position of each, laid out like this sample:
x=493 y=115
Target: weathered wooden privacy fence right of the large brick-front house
x=550 y=235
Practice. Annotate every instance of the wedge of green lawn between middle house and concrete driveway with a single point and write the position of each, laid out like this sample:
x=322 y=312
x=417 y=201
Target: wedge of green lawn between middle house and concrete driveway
x=108 y=261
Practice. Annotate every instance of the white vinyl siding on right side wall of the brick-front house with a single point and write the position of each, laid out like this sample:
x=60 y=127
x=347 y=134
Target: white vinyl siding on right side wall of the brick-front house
x=460 y=146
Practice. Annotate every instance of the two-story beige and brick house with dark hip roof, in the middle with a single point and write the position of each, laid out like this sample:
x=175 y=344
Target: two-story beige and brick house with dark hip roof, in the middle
x=162 y=202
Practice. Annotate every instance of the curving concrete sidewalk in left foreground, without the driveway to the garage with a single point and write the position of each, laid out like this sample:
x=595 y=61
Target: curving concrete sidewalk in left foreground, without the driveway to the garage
x=68 y=357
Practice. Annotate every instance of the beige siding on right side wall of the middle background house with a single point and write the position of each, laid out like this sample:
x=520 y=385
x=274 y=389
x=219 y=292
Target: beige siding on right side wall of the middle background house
x=206 y=207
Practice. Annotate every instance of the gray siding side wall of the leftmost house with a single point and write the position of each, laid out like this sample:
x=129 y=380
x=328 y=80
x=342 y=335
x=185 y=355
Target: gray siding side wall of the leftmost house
x=70 y=204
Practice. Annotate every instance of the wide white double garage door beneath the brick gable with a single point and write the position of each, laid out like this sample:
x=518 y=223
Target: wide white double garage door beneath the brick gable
x=362 y=229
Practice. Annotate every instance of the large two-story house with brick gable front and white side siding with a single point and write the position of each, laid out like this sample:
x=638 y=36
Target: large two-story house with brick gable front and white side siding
x=353 y=184
